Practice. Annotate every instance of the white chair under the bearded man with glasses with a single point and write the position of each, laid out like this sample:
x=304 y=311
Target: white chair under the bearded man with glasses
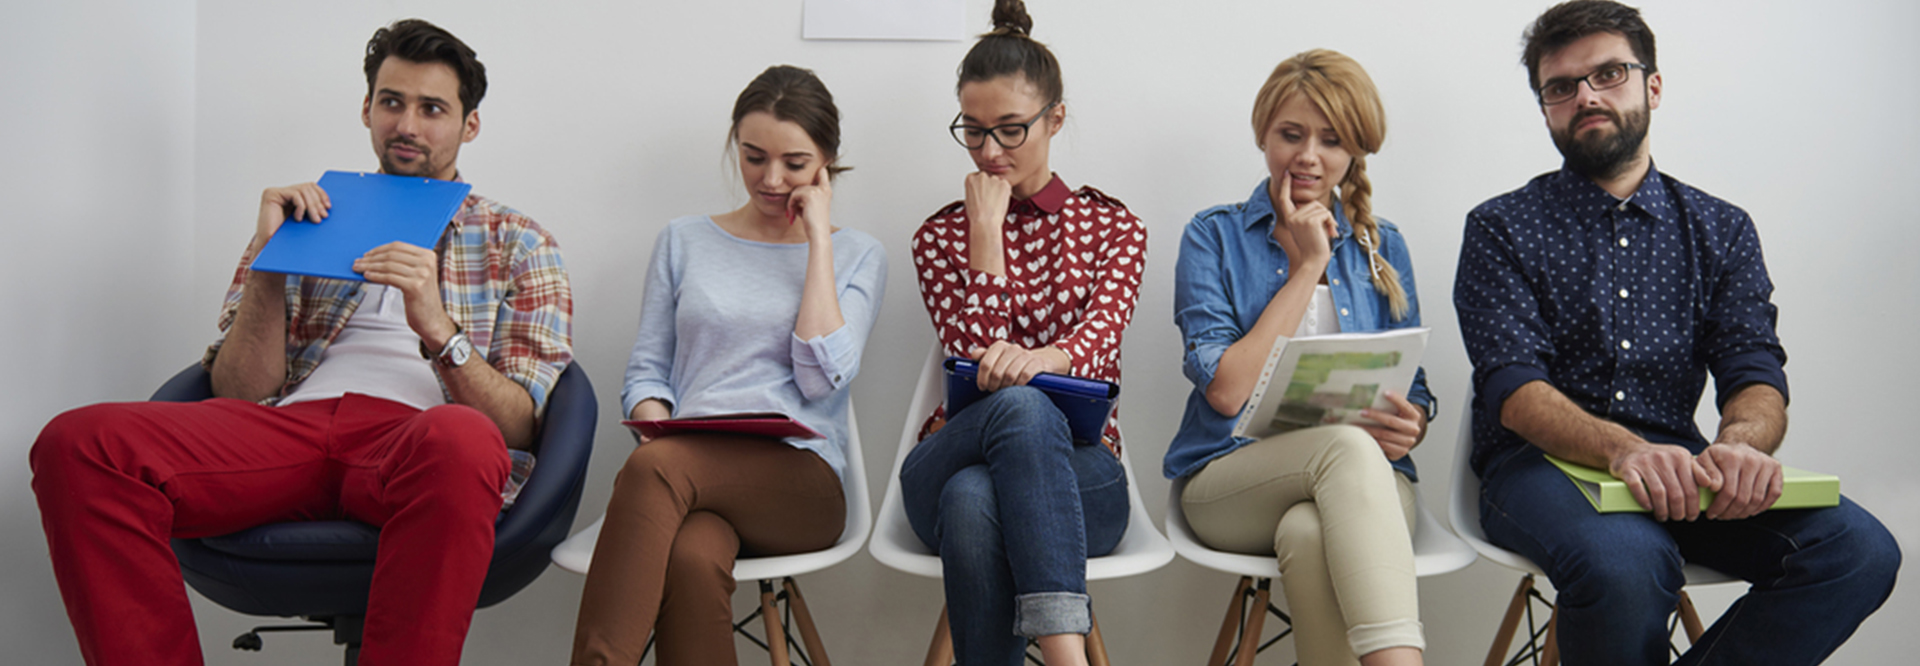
x=1464 y=511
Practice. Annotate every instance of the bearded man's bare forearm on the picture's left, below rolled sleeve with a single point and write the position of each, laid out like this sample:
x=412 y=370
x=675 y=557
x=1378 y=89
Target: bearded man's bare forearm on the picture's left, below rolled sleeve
x=1556 y=425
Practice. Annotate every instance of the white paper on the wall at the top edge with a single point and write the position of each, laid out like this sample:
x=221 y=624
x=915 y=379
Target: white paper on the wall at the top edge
x=886 y=20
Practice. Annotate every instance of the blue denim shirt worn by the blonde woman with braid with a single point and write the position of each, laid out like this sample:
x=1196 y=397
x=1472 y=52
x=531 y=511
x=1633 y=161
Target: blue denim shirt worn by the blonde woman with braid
x=1228 y=272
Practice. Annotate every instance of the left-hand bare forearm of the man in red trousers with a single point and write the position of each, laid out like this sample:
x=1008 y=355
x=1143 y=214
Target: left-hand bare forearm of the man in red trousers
x=252 y=360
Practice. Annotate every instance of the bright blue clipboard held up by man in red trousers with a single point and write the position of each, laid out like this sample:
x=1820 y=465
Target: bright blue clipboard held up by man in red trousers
x=370 y=210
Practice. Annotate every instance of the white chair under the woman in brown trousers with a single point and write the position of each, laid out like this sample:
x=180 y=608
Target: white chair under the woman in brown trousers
x=577 y=556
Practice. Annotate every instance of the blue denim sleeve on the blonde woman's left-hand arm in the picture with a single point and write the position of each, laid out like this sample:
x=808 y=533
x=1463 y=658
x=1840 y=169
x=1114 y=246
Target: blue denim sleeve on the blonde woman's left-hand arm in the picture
x=1203 y=306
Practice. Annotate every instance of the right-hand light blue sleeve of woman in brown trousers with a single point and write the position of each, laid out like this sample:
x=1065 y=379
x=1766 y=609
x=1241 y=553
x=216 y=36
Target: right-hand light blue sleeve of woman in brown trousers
x=828 y=364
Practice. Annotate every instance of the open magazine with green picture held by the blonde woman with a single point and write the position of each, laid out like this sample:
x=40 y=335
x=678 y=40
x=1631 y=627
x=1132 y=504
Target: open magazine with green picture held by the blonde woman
x=1328 y=381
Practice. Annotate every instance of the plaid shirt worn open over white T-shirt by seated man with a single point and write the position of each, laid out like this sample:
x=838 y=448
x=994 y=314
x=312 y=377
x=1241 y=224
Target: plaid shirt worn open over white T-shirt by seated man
x=500 y=277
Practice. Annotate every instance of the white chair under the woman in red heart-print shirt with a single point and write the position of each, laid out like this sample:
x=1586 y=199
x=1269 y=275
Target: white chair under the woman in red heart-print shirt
x=1140 y=552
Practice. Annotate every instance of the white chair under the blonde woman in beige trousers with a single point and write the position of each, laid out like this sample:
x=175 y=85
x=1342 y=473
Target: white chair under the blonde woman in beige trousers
x=1435 y=552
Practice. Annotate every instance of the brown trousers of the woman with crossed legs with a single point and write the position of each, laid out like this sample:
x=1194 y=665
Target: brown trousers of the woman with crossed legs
x=683 y=510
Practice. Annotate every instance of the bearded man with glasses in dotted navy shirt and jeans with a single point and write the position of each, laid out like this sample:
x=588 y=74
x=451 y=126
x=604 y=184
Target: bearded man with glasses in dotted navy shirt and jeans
x=1595 y=302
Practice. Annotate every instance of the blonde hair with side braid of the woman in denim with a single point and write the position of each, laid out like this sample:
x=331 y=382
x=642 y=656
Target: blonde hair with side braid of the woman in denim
x=1343 y=91
